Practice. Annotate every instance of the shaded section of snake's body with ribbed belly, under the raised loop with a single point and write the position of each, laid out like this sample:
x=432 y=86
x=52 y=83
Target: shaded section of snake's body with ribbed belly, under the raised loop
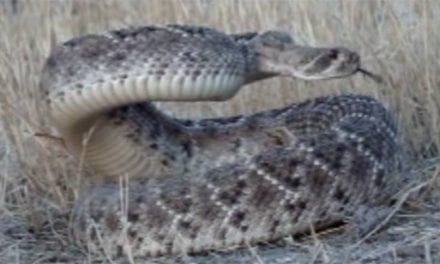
x=132 y=141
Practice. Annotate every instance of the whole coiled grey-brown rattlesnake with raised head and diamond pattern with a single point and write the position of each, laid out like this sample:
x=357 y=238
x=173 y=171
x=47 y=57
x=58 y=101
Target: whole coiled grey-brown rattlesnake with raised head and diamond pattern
x=212 y=183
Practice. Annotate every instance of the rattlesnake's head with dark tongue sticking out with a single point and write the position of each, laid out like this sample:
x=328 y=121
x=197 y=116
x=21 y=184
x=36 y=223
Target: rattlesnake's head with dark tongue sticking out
x=279 y=55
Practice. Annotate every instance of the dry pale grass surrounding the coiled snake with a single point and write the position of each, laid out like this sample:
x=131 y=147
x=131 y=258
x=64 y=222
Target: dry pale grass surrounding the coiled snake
x=399 y=39
